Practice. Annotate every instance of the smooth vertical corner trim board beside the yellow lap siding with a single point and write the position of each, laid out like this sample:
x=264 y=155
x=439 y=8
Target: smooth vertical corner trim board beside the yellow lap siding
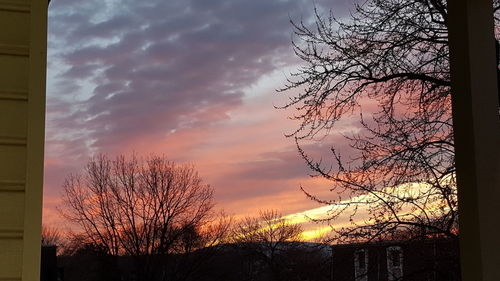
x=35 y=141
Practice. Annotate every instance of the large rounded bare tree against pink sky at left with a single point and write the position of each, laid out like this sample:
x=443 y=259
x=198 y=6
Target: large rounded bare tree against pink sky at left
x=148 y=208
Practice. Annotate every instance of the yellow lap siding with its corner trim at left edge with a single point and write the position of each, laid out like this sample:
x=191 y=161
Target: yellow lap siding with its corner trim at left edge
x=23 y=36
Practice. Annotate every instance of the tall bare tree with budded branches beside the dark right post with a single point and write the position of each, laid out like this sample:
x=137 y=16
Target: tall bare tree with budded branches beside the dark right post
x=388 y=64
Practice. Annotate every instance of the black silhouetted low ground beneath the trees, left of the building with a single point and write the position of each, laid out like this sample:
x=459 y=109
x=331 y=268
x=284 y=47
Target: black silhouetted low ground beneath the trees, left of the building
x=246 y=261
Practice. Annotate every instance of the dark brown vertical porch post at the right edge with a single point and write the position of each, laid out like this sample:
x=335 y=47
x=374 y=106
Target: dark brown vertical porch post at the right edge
x=477 y=142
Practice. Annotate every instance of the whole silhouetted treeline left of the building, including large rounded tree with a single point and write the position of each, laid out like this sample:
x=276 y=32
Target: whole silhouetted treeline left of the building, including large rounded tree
x=148 y=218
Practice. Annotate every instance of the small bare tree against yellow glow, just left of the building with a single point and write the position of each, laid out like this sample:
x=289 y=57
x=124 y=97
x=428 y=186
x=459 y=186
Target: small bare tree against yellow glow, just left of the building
x=267 y=238
